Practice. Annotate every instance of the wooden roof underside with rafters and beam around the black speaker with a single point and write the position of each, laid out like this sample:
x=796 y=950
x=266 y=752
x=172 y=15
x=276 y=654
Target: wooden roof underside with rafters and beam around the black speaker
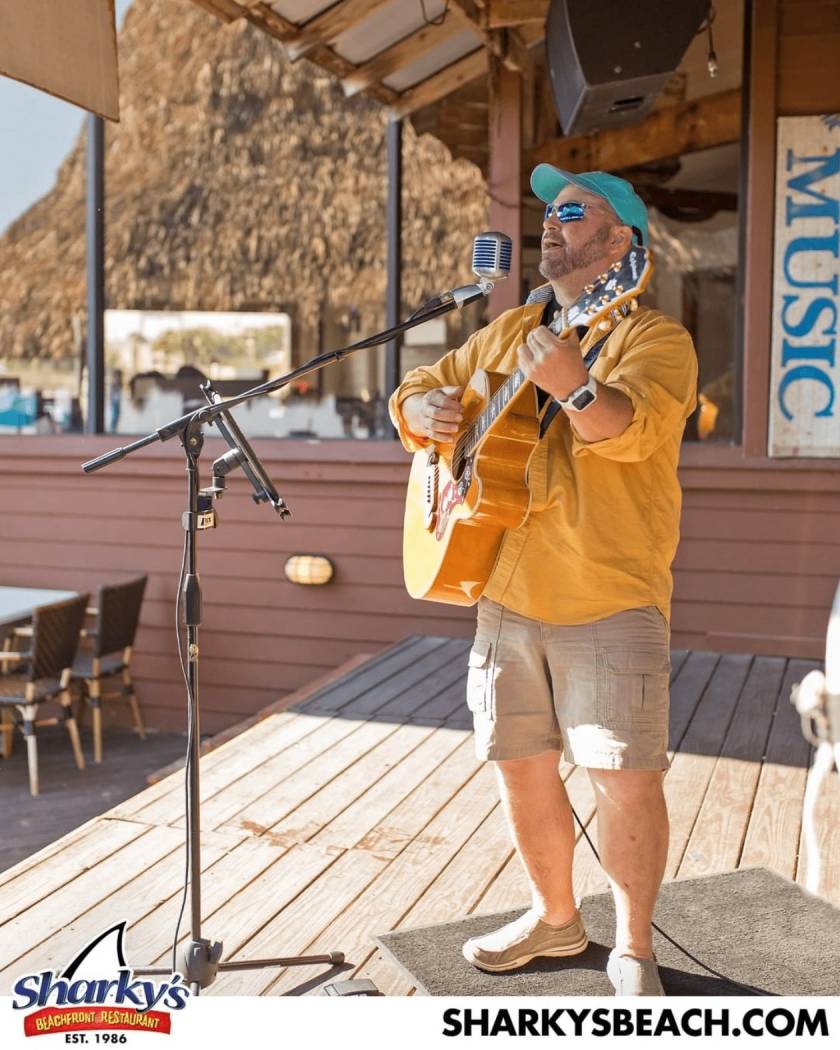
x=431 y=60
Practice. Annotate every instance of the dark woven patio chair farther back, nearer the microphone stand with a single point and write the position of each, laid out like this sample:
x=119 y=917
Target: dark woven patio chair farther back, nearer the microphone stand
x=110 y=655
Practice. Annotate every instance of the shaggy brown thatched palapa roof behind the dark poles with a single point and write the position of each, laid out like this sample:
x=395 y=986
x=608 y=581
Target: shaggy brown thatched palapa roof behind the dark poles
x=236 y=180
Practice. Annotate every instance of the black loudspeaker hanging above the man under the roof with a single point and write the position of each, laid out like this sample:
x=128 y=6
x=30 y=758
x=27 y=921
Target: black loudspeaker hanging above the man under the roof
x=608 y=59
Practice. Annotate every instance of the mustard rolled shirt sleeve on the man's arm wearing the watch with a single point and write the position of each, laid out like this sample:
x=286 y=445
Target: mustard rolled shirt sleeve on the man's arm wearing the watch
x=659 y=374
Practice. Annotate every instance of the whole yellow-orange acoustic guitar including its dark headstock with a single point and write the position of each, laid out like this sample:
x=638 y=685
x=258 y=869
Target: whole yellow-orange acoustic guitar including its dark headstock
x=465 y=495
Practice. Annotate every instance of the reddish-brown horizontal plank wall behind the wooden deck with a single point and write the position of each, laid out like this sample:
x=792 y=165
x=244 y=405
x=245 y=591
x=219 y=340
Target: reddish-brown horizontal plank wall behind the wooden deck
x=755 y=573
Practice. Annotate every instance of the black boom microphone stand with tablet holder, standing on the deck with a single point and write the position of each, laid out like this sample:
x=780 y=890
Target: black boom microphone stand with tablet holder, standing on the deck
x=201 y=958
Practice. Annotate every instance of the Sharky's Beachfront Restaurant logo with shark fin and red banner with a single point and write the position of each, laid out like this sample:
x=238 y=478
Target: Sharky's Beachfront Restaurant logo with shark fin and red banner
x=98 y=992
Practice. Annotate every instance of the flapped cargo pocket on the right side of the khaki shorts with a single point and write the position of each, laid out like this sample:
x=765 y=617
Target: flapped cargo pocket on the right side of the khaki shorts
x=636 y=687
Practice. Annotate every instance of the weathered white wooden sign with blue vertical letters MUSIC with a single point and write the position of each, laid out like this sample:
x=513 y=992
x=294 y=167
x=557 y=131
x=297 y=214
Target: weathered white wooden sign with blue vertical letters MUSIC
x=805 y=388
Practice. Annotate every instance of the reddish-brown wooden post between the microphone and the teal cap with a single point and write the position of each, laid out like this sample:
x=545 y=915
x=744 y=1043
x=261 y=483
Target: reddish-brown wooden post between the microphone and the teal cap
x=506 y=178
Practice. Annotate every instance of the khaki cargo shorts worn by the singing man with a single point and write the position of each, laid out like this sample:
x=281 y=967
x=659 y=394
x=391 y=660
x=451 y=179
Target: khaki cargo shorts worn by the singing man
x=598 y=692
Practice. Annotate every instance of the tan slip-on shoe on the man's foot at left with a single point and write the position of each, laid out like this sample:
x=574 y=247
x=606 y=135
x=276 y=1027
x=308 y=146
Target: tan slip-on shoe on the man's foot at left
x=523 y=940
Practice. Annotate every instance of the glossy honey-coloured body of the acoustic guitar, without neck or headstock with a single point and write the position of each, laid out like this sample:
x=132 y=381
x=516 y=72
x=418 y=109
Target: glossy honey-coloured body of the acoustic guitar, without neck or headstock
x=457 y=512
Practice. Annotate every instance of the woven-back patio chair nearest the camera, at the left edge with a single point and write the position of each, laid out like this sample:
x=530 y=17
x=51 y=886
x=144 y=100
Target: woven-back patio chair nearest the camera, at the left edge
x=40 y=675
